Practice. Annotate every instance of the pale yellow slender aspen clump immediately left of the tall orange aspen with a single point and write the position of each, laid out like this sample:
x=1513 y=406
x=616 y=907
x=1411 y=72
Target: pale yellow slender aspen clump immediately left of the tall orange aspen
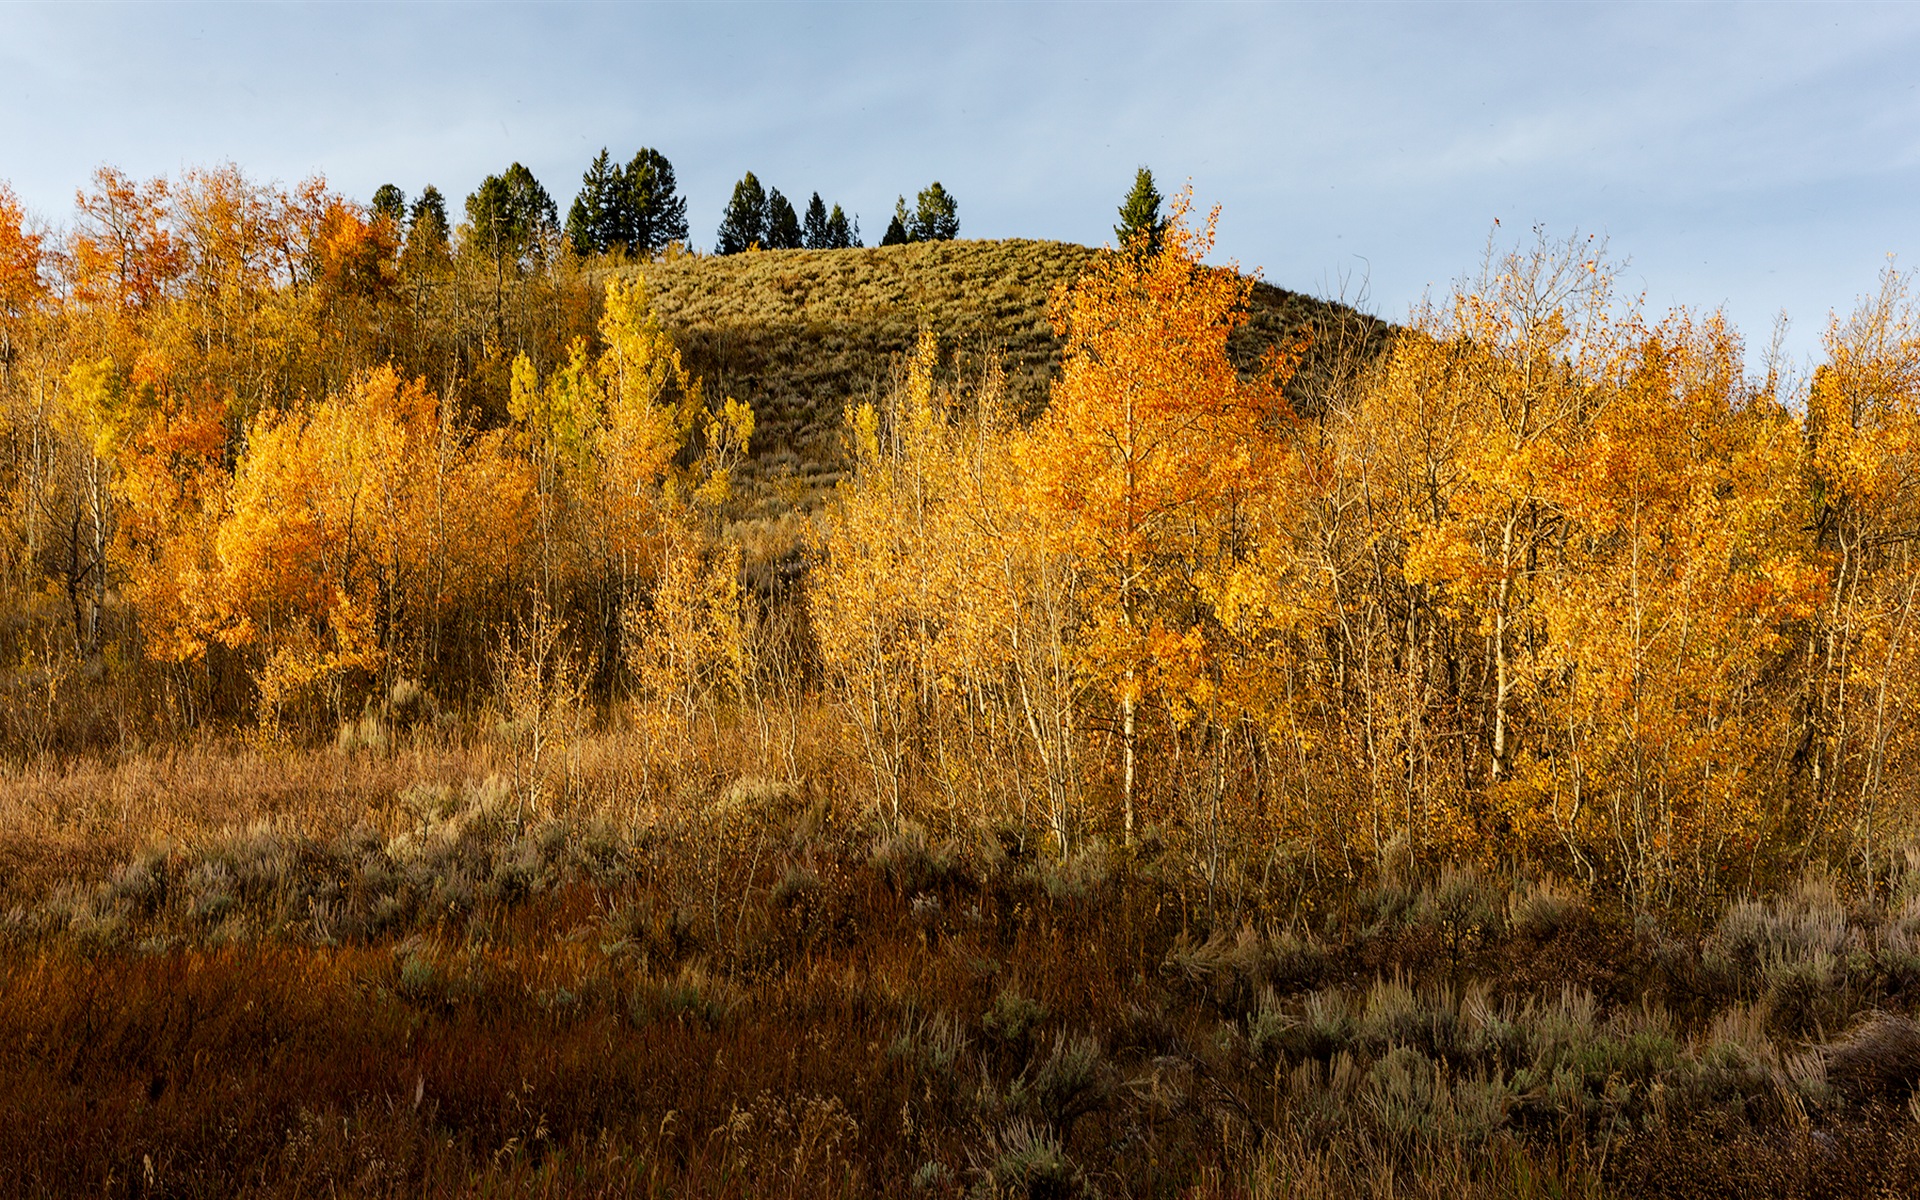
x=911 y=598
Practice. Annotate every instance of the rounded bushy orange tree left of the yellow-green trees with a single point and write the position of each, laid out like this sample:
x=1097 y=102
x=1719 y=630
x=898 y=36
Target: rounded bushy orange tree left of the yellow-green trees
x=356 y=529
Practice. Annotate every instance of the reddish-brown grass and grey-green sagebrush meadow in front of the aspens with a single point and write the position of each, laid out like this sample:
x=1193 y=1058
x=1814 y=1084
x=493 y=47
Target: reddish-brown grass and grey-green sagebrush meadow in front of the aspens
x=391 y=976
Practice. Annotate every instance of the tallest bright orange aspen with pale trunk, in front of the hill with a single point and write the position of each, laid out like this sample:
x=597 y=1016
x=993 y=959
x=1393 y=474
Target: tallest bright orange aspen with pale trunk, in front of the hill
x=1149 y=441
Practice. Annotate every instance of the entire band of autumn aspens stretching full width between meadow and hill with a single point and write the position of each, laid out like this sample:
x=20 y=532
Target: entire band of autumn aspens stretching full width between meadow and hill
x=1550 y=581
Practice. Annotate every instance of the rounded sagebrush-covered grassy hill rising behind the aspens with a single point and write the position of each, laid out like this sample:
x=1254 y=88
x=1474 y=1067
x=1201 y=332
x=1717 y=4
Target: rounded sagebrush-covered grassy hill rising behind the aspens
x=800 y=333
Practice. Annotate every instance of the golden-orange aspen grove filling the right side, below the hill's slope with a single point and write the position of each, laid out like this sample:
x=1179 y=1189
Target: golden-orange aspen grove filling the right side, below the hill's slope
x=1552 y=581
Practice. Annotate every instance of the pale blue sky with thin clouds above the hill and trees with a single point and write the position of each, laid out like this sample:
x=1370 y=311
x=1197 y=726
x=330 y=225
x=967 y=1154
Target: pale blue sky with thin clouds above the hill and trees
x=1762 y=158
